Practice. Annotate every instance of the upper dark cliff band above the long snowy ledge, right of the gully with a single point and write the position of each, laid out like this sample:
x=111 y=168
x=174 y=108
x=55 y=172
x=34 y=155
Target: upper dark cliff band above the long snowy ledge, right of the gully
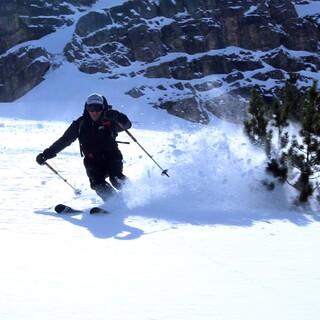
x=141 y=30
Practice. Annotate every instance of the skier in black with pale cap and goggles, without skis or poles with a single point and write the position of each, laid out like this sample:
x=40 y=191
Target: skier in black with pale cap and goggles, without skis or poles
x=96 y=130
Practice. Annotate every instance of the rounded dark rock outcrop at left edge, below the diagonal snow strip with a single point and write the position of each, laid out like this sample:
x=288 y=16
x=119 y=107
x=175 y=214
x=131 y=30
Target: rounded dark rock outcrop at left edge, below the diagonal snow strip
x=22 y=70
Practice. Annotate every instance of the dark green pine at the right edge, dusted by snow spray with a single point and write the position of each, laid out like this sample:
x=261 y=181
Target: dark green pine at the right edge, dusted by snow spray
x=290 y=153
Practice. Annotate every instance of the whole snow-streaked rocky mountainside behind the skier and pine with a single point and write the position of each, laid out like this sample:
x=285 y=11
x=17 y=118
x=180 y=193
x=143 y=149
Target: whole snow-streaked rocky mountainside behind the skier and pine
x=190 y=58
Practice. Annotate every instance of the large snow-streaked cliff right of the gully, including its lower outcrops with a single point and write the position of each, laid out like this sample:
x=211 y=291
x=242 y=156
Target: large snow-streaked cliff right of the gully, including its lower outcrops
x=173 y=39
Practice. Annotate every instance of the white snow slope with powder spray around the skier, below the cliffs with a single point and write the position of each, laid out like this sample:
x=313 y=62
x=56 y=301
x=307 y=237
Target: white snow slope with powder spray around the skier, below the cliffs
x=207 y=243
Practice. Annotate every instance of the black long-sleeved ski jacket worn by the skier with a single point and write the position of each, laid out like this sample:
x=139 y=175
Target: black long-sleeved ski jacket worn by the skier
x=96 y=138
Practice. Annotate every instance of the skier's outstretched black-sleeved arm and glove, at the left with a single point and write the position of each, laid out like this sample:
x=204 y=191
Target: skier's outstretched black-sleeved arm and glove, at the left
x=65 y=140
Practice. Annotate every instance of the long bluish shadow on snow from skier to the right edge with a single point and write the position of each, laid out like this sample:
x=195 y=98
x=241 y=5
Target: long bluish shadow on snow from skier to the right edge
x=117 y=224
